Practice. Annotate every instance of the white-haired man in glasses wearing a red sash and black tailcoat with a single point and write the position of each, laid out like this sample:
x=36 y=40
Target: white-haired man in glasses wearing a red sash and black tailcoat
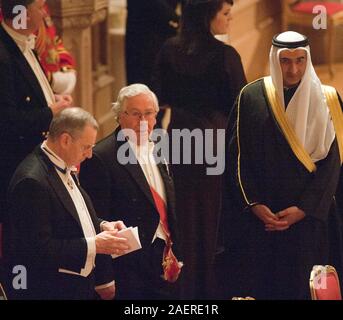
x=141 y=193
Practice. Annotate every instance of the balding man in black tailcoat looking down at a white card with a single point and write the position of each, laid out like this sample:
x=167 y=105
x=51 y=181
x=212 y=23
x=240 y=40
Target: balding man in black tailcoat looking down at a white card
x=52 y=231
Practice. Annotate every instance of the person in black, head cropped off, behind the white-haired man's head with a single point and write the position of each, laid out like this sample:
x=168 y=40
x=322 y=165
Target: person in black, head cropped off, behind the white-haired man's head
x=149 y=24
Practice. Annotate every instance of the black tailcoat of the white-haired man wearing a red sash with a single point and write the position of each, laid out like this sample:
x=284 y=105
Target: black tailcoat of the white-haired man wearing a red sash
x=121 y=192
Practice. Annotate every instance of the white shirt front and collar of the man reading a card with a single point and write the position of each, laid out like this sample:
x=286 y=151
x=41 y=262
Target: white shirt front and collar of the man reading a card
x=81 y=208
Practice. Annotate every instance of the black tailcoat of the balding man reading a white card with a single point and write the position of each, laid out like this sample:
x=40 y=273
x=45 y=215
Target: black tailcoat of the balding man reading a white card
x=44 y=234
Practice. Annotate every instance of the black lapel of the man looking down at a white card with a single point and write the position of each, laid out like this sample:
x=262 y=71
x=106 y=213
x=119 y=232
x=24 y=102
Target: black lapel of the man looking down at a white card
x=57 y=185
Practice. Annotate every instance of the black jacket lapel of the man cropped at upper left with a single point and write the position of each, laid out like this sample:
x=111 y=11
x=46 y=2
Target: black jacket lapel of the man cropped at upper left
x=23 y=65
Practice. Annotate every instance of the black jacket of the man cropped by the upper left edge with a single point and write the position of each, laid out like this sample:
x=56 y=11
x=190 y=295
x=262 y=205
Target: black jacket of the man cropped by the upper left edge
x=24 y=113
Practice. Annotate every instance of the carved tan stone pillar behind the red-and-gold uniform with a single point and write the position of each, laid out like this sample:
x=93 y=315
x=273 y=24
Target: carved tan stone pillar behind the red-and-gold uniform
x=83 y=25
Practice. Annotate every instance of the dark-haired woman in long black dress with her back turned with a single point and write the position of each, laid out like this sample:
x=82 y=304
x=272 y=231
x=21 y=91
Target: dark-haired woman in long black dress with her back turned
x=199 y=77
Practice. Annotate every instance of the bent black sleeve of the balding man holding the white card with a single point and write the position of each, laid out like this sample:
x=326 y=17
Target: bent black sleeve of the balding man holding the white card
x=32 y=229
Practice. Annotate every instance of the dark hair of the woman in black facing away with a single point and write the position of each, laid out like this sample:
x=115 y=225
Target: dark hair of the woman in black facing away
x=195 y=20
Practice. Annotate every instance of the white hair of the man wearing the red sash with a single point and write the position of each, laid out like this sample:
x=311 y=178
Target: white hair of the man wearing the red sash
x=132 y=91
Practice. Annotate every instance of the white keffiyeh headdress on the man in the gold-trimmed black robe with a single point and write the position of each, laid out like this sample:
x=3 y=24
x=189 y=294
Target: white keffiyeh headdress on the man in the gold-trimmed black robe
x=307 y=111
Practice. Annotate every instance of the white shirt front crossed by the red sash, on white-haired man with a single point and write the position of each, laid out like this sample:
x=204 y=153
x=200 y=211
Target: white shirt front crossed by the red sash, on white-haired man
x=145 y=157
